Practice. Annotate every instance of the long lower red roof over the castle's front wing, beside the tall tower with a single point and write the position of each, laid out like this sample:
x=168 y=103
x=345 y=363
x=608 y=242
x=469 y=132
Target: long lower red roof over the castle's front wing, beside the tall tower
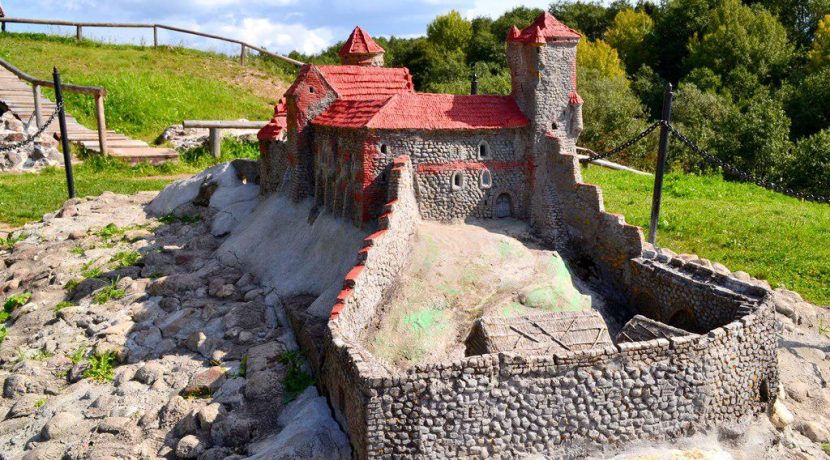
x=425 y=111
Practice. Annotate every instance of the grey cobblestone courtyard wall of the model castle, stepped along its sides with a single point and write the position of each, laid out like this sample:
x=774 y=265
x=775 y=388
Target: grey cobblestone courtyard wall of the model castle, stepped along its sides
x=508 y=404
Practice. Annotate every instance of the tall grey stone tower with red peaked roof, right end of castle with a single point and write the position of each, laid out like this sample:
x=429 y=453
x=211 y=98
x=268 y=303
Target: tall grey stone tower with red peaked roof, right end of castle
x=542 y=59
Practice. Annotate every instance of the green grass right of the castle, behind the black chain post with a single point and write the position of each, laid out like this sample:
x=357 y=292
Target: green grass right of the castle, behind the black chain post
x=768 y=235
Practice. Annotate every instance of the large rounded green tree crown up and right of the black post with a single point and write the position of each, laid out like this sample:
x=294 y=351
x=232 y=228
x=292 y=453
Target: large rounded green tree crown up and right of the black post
x=738 y=36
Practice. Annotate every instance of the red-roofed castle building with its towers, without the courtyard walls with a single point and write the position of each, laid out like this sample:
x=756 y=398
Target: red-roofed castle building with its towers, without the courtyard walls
x=474 y=155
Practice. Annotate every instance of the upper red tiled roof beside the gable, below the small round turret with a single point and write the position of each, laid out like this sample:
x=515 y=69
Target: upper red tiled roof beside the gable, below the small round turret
x=359 y=82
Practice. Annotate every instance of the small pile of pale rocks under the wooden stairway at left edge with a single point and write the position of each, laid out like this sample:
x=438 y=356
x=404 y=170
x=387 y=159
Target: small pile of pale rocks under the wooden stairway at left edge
x=43 y=152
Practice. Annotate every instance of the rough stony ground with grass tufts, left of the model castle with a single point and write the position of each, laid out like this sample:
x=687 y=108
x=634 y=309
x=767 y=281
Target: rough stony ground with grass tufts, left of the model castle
x=126 y=338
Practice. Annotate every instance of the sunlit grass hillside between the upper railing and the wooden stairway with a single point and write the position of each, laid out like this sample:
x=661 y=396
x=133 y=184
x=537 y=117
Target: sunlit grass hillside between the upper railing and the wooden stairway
x=150 y=88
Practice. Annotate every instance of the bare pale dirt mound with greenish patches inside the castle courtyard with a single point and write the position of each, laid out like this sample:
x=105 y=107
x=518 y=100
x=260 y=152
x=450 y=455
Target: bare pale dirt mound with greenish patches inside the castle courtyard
x=459 y=273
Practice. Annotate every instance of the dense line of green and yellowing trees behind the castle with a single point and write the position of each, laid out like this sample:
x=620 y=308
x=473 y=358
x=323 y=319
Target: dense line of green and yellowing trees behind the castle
x=752 y=79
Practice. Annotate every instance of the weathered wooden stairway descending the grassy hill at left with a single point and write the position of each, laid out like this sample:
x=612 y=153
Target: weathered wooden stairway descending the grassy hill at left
x=19 y=98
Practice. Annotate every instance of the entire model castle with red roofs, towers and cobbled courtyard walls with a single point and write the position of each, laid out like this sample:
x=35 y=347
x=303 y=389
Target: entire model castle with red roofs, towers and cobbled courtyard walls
x=698 y=348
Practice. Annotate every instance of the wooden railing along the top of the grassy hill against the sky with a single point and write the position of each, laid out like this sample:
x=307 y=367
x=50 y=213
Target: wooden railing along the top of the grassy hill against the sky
x=79 y=28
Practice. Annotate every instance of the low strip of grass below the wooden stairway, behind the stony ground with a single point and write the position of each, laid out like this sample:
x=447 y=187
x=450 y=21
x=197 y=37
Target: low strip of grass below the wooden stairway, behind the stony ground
x=27 y=197
